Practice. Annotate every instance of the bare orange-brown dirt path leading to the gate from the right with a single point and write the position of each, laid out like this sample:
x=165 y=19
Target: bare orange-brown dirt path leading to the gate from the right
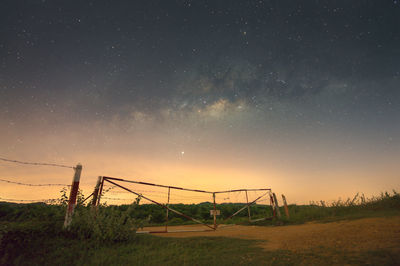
x=356 y=235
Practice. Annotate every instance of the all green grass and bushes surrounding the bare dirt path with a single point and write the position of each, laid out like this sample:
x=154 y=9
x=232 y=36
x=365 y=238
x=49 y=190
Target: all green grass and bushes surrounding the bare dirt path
x=32 y=234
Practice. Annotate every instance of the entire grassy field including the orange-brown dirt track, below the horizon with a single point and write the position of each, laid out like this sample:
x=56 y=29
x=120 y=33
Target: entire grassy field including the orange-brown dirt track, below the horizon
x=365 y=232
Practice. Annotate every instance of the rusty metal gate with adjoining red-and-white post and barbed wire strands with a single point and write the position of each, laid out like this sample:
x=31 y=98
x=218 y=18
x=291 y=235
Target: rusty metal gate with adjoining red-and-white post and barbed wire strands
x=157 y=193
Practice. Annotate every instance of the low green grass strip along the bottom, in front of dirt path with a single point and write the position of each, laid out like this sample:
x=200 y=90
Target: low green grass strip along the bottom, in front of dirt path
x=42 y=249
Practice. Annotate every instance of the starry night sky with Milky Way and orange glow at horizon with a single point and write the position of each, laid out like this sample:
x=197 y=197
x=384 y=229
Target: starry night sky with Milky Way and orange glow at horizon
x=299 y=96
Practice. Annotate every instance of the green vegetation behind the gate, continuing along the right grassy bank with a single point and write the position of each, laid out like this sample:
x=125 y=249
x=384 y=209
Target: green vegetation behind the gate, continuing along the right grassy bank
x=358 y=207
